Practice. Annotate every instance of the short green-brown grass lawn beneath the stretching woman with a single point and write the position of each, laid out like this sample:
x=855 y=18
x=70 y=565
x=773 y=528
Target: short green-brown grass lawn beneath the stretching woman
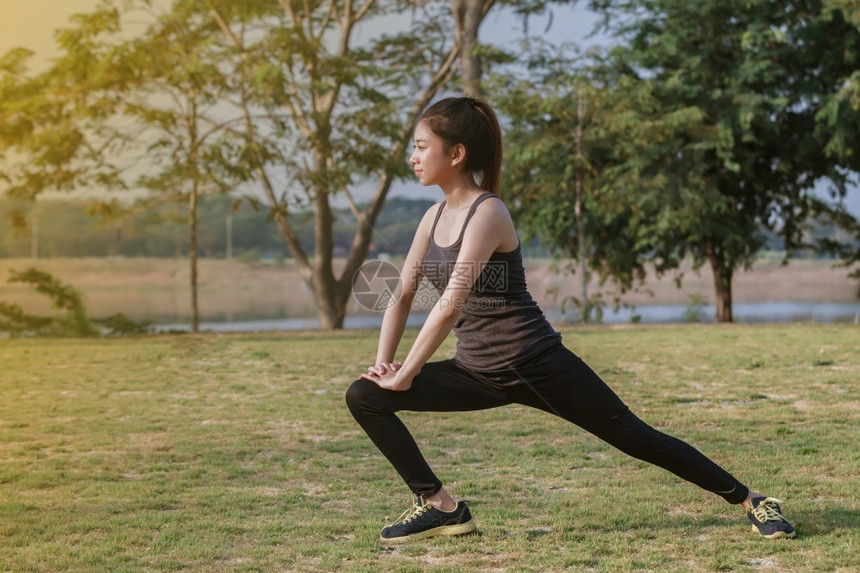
x=237 y=453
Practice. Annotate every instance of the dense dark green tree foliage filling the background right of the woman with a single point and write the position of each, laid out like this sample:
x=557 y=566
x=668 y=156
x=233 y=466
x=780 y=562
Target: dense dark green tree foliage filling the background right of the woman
x=708 y=122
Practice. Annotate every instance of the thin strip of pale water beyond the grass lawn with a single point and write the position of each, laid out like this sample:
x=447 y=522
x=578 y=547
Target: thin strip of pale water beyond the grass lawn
x=820 y=312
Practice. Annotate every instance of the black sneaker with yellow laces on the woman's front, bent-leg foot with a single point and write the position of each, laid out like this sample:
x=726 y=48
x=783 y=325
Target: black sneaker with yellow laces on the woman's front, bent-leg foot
x=422 y=520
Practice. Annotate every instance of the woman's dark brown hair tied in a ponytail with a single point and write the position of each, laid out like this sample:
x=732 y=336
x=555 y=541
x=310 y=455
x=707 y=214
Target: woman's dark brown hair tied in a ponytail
x=473 y=123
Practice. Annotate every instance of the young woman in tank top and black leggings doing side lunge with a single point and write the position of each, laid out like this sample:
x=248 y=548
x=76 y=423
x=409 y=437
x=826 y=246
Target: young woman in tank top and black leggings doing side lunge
x=507 y=352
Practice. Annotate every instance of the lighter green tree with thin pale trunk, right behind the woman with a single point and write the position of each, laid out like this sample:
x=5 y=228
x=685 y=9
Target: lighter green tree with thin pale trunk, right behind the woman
x=570 y=120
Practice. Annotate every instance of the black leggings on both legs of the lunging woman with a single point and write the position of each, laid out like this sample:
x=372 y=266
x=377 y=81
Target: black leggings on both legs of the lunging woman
x=558 y=382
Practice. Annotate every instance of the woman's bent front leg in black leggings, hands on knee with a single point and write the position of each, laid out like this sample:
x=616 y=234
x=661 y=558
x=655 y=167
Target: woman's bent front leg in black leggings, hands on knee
x=440 y=387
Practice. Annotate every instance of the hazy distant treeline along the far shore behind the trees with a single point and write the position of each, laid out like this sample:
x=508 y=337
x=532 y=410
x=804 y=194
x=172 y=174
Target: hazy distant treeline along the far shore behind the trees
x=63 y=228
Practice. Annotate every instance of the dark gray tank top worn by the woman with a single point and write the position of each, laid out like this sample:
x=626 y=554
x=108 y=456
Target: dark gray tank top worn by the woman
x=500 y=326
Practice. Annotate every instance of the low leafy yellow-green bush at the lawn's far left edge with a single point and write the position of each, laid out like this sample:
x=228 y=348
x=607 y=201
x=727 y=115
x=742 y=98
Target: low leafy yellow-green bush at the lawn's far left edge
x=73 y=322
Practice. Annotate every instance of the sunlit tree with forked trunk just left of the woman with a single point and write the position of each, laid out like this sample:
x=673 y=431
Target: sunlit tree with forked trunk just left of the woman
x=326 y=115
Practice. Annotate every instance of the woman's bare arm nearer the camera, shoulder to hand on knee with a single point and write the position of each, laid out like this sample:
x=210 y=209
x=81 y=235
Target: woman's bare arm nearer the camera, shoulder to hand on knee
x=490 y=227
